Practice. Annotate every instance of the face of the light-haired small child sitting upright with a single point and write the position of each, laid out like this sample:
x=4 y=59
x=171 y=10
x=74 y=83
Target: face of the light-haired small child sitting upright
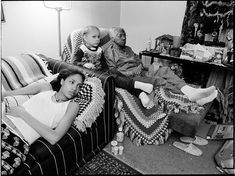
x=92 y=38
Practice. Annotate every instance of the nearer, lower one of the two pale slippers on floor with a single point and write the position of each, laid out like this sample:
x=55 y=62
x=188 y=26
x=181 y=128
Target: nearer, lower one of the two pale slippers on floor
x=188 y=148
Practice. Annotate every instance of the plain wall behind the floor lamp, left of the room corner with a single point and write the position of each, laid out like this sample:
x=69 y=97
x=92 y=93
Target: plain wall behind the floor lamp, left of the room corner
x=31 y=27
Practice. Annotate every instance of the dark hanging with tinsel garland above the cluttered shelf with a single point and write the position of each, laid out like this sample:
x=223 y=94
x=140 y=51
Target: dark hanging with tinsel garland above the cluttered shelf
x=207 y=21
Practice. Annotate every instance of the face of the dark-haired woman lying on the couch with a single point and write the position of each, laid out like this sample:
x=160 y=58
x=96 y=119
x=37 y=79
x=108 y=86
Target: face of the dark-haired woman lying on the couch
x=71 y=85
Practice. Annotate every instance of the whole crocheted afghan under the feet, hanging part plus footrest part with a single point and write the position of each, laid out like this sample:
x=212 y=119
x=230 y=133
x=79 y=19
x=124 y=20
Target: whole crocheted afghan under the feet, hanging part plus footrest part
x=150 y=126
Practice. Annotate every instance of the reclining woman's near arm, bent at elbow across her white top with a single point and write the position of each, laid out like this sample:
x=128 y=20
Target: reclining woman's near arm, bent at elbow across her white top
x=51 y=135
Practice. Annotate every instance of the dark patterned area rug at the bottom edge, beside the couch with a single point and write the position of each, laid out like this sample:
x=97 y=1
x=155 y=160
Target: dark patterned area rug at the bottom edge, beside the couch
x=106 y=164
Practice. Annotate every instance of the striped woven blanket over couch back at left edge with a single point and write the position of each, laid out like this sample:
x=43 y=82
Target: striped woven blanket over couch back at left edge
x=20 y=71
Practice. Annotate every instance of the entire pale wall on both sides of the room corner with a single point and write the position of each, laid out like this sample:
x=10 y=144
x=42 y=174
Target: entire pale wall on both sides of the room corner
x=30 y=26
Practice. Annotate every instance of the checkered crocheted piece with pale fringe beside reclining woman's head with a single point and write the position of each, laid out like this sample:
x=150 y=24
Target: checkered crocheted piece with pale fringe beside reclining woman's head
x=91 y=101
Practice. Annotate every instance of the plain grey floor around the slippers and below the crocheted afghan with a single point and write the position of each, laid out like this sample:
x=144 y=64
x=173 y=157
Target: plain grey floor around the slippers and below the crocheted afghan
x=167 y=159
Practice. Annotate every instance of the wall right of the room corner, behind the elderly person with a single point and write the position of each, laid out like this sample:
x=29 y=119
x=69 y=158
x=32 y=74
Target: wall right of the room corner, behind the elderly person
x=149 y=19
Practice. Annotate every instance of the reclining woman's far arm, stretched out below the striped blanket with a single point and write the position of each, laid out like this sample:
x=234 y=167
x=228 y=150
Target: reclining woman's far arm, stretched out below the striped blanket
x=30 y=89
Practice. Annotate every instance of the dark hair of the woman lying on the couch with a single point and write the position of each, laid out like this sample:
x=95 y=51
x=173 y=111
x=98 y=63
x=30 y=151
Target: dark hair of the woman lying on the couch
x=63 y=75
